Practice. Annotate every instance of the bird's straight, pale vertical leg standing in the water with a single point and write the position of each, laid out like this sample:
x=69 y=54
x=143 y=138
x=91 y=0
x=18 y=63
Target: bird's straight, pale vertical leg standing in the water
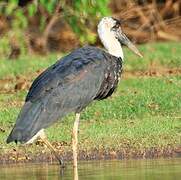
x=75 y=139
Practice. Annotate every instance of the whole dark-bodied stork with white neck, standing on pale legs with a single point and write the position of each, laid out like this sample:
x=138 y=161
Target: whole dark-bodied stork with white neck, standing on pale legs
x=71 y=84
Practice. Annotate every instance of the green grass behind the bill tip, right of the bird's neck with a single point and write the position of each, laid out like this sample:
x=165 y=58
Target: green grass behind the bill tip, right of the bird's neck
x=165 y=55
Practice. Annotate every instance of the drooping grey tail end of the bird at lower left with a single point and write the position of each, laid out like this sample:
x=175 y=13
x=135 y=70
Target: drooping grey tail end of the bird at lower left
x=26 y=125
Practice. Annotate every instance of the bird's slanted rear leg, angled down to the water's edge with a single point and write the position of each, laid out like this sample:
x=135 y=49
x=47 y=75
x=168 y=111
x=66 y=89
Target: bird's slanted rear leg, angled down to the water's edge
x=52 y=149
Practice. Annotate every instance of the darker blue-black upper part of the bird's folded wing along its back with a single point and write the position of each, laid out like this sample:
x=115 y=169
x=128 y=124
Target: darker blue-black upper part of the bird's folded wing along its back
x=66 y=71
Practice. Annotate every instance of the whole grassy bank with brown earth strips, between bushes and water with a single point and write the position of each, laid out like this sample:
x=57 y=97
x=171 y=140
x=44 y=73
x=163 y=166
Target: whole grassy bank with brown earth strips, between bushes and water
x=141 y=120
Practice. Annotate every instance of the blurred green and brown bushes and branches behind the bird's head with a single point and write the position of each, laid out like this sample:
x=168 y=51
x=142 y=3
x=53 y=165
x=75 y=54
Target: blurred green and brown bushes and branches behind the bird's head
x=61 y=25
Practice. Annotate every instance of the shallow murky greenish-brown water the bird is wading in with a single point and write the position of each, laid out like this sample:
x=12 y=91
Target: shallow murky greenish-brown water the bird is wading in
x=157 y=169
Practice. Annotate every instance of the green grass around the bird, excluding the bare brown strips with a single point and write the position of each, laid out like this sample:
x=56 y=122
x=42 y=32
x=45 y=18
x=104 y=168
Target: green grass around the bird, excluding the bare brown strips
x=144 y=112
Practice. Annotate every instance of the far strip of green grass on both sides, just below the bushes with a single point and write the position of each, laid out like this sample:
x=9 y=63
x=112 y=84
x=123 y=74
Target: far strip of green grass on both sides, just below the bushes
x=159 y=54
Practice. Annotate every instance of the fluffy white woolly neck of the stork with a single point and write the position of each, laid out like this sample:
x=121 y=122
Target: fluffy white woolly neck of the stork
x=109 y=40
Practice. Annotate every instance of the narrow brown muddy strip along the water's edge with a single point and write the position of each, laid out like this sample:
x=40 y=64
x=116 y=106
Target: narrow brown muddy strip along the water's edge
x=20 y=156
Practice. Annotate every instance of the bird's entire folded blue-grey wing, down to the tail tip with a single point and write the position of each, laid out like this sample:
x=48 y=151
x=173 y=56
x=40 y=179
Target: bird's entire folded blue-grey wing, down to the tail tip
x=69 y=85
